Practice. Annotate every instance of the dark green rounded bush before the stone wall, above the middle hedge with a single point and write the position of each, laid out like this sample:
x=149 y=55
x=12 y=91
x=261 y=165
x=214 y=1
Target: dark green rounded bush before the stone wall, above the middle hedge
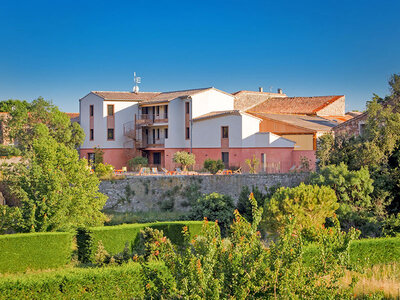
x=214 y=207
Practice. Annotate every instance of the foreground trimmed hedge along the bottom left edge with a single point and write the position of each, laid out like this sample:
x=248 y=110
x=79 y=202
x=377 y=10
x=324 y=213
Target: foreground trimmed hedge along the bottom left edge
x=122 y=282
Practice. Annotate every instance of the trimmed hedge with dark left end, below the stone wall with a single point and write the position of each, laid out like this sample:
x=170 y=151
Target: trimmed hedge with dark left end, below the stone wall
x=114 y=238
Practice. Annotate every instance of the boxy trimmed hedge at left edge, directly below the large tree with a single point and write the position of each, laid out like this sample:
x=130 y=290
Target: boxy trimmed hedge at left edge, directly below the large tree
x=19 y=252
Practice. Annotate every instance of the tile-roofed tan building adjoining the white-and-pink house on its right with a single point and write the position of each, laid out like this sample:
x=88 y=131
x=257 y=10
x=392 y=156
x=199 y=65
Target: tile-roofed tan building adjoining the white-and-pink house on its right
x=301 y=119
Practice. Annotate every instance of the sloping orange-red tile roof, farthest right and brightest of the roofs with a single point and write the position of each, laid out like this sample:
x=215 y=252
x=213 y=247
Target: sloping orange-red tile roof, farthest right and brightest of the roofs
x=295 y=105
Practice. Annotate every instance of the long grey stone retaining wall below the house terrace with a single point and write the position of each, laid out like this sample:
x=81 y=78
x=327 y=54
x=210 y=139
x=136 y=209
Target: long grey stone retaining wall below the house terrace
x=145 y=193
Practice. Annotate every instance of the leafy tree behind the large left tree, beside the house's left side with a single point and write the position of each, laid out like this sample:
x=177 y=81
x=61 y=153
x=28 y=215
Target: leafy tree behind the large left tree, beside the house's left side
x=25 y=116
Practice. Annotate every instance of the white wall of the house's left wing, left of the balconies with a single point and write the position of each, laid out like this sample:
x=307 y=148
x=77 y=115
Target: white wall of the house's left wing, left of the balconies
x=124 y=111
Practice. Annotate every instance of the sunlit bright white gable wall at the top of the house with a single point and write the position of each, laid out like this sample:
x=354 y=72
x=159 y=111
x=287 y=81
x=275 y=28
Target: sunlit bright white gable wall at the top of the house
x=209 y=101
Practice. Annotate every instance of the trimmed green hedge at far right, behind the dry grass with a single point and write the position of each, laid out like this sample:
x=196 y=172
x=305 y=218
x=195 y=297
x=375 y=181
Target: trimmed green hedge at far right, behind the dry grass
x=366 y=252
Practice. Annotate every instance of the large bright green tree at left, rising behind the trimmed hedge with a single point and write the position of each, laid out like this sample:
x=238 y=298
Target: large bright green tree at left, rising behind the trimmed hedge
x=55 y=189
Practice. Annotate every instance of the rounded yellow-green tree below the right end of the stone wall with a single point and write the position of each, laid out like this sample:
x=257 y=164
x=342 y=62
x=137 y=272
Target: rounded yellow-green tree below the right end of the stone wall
x=310 y=205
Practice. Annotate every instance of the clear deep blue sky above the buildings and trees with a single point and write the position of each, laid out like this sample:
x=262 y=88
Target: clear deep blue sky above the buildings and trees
x=61 y=50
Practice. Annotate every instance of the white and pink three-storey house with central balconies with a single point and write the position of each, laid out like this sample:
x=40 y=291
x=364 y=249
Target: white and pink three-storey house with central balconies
x=156 y=125
